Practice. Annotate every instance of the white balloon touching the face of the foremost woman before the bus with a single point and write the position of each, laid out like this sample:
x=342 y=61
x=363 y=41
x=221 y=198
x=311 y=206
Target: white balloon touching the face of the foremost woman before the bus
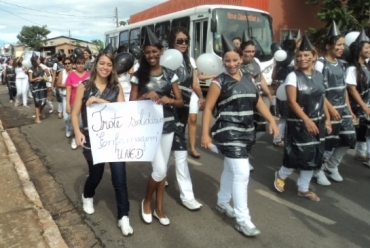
x=209 y=64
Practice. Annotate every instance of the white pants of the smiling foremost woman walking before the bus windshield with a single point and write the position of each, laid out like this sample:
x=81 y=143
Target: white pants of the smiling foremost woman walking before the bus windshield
x=234 y=183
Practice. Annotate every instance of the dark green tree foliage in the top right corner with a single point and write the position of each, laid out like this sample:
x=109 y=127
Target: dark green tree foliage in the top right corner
x=348 y=14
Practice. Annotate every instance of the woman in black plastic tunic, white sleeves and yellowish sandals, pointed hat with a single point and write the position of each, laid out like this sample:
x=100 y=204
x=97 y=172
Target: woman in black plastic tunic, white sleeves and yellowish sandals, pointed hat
x=306 y=122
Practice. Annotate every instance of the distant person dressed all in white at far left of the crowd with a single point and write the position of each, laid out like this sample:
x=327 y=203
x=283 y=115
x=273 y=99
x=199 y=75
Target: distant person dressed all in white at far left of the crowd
x=21 y=82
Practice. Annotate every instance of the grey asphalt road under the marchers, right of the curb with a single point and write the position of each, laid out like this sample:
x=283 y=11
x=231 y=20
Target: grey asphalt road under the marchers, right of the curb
x=341 y=219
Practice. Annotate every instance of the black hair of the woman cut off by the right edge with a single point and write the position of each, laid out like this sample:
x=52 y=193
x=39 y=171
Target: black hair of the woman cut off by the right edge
x=355 y=49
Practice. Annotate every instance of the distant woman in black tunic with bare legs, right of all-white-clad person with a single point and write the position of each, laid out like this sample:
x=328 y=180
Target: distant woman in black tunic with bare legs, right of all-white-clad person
x=38 y=86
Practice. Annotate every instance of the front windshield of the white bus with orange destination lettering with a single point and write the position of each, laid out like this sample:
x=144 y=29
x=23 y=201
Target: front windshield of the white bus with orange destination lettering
x=232 y=23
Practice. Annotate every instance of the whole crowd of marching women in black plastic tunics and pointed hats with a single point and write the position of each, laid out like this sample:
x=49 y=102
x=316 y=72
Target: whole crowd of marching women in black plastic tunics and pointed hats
x=324 y=114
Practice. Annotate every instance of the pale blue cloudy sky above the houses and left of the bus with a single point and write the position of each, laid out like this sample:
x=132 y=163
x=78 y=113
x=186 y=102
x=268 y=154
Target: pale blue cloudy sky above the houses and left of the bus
x=85 y=19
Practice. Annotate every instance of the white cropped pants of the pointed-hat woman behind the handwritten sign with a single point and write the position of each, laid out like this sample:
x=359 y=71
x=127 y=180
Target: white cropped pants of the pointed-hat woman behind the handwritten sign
x=161 y=157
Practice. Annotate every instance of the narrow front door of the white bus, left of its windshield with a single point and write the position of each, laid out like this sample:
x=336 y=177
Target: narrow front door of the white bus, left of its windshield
x=199 y=37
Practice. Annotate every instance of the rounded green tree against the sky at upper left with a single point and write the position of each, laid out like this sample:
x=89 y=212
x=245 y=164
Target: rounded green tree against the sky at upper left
x=33 y=36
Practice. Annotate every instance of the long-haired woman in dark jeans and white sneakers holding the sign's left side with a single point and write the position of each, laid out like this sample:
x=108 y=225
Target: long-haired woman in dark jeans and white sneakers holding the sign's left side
x=101 y=87
